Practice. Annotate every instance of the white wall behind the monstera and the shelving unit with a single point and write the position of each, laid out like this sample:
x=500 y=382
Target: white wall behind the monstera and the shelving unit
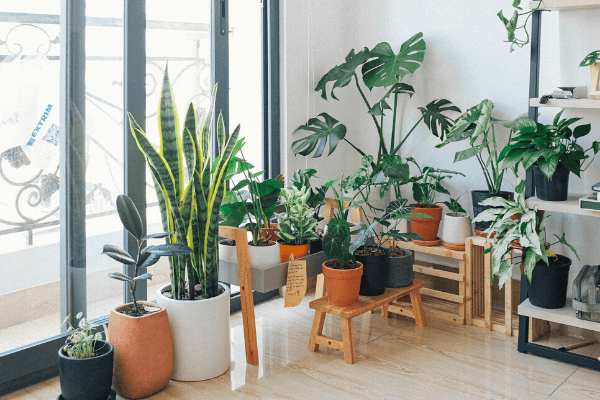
x=466 y=61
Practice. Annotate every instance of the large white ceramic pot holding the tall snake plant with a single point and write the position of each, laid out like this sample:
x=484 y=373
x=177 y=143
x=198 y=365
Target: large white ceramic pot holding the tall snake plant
x=200 y=330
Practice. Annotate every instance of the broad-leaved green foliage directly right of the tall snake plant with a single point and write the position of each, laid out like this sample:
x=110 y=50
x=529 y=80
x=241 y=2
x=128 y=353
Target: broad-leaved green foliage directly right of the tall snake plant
x=252 y=201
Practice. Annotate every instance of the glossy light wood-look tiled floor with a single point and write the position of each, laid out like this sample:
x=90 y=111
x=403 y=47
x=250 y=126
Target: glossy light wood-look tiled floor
x=395 y=360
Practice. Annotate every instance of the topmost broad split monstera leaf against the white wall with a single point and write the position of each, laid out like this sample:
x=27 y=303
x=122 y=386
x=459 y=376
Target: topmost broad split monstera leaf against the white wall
x=386 y=68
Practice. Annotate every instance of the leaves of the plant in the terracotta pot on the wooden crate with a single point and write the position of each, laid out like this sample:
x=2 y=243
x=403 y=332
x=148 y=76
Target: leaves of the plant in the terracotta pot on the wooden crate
x=428 y=183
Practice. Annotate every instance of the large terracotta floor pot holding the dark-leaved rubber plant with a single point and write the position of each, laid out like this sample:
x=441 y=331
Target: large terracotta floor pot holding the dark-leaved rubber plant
x=143 y=351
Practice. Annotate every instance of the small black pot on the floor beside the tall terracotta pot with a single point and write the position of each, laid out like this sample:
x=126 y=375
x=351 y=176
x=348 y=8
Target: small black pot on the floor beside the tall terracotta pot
x=87 y=378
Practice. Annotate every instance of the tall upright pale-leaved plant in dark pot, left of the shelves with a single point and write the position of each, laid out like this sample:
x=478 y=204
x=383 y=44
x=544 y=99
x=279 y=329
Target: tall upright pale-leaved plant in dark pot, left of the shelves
x=477 y=126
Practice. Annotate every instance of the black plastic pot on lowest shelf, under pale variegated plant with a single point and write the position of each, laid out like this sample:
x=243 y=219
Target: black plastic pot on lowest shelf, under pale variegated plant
x=548 y=288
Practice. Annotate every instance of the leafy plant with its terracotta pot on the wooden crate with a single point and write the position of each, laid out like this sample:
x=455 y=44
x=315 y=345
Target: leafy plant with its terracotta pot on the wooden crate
x=425 y=187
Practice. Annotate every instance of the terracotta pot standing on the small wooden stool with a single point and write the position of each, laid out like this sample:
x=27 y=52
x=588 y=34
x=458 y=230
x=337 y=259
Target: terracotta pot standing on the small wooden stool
x=342 y=285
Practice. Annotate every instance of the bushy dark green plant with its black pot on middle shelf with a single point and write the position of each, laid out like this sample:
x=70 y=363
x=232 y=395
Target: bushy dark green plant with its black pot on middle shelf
x=552 y=151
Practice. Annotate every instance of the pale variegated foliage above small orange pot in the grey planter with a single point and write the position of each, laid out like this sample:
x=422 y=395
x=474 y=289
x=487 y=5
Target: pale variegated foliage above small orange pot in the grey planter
x=296 y=225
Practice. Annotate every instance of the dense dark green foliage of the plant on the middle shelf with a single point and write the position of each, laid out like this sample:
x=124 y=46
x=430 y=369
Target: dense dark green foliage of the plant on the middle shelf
x=548 y=145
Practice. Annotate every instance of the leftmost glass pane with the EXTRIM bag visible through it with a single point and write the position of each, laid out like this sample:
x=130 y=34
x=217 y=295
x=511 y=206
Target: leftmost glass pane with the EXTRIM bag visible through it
x=29 y=218
